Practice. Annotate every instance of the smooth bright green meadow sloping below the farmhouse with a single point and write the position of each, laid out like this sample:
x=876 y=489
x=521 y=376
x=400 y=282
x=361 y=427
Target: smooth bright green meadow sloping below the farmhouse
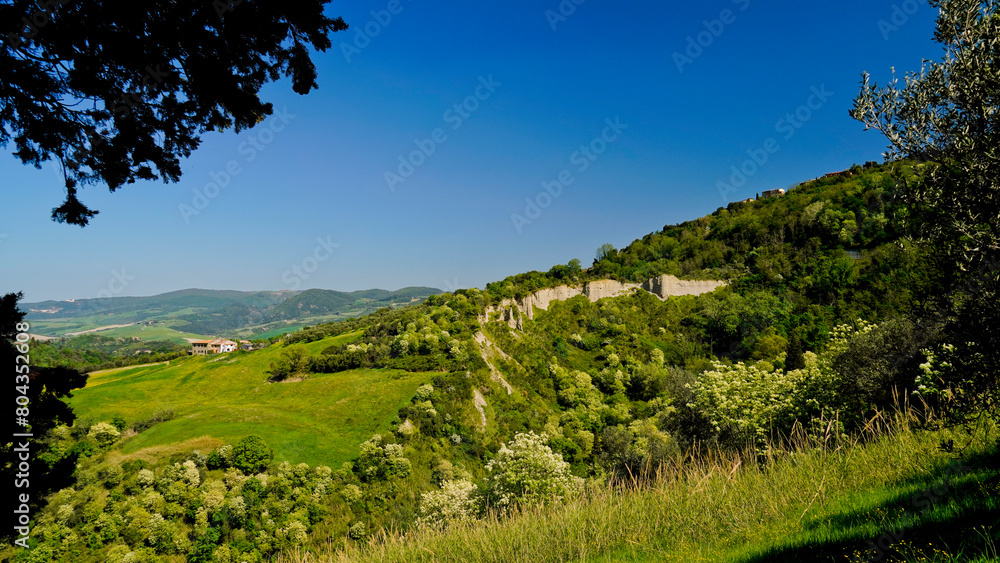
x=320 y=420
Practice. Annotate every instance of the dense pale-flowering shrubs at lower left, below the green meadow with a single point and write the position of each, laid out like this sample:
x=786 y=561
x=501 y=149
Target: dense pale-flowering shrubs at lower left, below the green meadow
x=185 y=505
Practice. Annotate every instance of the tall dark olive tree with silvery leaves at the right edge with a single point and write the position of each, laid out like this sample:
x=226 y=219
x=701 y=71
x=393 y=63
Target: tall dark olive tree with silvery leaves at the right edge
x=947 y=116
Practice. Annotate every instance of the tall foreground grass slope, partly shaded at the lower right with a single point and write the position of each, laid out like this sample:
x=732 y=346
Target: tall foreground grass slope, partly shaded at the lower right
x=902 y=490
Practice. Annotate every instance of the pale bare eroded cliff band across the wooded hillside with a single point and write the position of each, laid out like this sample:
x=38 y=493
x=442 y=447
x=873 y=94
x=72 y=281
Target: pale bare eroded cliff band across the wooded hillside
x=513 y=311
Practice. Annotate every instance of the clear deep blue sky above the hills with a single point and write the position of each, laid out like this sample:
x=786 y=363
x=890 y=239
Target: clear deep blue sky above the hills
x=632 y=113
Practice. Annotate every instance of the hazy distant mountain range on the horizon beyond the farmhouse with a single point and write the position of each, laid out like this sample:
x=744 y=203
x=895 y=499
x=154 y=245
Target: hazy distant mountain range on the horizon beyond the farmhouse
x=212 y=312
